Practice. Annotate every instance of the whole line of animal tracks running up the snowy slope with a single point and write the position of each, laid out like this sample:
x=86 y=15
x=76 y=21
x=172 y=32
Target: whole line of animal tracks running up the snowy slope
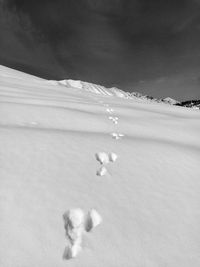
x=76 y=223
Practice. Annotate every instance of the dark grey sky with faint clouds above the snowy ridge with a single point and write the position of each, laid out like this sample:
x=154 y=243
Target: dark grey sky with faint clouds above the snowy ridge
x=150 y=46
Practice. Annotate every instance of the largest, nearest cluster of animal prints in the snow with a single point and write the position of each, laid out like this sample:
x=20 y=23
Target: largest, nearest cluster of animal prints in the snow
x=76 y=223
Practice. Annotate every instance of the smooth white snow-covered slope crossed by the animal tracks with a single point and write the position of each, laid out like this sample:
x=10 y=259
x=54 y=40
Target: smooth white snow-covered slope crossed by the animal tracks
x=148 y=195
